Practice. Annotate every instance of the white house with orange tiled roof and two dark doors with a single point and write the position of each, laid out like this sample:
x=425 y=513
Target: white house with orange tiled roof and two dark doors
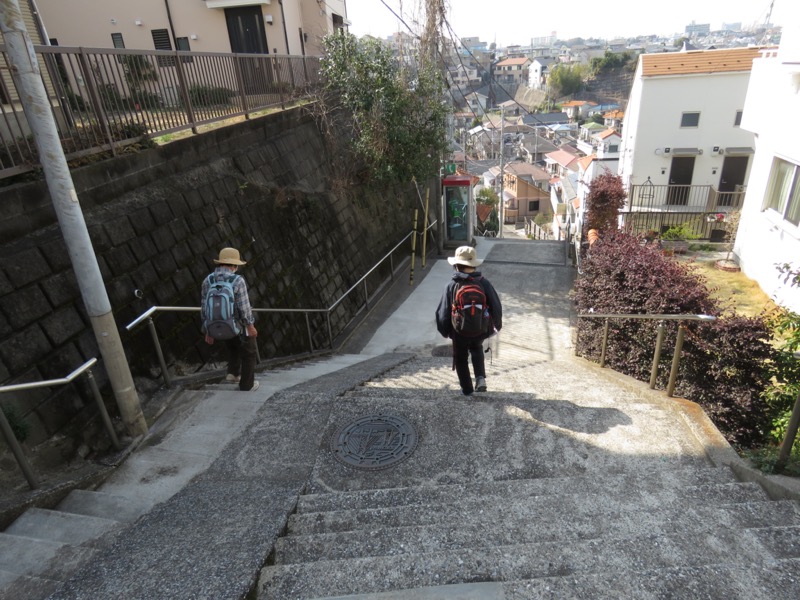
x=683 y=151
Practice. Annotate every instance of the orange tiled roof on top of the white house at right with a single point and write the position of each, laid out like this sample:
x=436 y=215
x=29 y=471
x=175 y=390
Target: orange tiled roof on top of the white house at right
x=699 y=61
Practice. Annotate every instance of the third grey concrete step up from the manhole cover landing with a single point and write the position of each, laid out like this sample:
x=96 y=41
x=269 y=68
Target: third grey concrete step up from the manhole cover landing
x=527 y=530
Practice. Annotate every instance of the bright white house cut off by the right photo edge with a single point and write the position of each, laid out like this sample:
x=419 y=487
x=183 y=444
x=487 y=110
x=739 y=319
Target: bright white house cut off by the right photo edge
x=769 y=228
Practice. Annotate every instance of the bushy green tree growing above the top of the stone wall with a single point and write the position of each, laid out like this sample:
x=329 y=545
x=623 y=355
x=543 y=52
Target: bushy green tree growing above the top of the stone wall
x=384 y=122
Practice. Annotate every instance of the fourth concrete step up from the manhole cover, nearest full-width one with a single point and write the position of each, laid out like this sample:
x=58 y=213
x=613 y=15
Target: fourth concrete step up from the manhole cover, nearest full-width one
x=510 y=563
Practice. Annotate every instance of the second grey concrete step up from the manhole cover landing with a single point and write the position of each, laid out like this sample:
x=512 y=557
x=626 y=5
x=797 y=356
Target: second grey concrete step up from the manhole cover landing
x=540 y=507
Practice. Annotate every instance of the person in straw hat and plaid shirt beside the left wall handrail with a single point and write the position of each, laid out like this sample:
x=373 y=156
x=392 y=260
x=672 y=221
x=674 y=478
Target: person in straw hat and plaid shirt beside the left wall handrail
x=242 y=349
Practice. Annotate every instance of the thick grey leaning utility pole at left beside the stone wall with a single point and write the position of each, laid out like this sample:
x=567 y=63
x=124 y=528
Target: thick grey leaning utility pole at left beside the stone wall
x=25 y=70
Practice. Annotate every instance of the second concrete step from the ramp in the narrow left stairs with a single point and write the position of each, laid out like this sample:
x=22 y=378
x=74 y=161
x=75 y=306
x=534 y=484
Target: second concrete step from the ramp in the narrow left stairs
x=44 y=524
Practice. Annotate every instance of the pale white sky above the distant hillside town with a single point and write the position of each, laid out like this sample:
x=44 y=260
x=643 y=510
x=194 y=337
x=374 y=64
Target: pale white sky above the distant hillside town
x=517 y=21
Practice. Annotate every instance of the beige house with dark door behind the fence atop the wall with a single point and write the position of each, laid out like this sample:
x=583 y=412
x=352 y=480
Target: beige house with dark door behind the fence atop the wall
x=294 y=27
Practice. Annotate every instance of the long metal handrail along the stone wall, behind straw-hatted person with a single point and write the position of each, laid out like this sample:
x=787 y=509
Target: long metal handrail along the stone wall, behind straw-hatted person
x=147 y=316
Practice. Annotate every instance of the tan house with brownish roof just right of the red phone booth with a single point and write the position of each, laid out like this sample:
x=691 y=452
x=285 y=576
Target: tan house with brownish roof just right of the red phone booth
x=525 y=191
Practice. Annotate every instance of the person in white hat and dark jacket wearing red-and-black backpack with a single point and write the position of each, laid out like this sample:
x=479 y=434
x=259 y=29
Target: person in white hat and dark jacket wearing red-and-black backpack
x=468 y=285
